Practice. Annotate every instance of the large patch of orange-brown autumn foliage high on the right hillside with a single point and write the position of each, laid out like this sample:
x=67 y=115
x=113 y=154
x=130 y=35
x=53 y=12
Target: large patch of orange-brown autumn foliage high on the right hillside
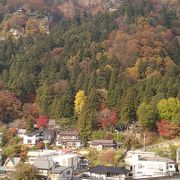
x=148 y=42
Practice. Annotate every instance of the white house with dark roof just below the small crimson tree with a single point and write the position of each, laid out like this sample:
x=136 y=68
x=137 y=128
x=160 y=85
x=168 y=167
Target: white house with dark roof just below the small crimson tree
x=34 y=137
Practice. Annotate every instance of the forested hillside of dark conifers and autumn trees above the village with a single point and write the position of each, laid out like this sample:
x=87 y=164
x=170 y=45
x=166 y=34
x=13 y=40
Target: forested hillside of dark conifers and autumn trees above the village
x=93 y=71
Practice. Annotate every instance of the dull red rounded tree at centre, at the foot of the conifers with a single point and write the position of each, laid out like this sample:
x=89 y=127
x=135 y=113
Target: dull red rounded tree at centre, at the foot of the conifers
x=107 y=118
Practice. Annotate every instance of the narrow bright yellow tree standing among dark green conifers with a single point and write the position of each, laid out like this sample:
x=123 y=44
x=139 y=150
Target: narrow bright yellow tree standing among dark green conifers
x=79 y=101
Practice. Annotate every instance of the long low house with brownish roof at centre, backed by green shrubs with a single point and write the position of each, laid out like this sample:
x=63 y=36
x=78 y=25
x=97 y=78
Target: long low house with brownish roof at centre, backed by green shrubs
x=101 y=144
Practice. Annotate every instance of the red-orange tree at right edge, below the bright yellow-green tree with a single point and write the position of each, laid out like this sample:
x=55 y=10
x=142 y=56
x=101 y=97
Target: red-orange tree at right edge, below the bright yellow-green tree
x=167 y=129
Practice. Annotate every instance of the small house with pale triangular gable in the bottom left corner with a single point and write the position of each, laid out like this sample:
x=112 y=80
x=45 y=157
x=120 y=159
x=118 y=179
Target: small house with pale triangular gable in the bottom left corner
x=9 y=165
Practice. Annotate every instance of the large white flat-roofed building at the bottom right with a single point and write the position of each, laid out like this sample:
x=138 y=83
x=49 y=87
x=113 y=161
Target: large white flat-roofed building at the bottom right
x=151 y=166
